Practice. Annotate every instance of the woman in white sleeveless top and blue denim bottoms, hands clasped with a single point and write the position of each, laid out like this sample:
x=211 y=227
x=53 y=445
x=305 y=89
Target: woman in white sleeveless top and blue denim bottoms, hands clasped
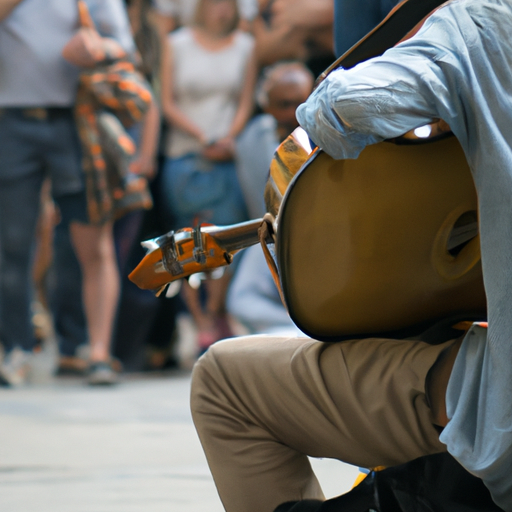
x=208 y=77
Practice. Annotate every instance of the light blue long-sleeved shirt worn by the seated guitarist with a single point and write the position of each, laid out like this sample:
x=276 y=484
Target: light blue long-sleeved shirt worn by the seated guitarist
x=458 y=68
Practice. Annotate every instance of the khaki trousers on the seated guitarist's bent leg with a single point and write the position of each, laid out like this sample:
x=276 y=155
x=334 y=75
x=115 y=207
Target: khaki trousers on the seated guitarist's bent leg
x=261 y=404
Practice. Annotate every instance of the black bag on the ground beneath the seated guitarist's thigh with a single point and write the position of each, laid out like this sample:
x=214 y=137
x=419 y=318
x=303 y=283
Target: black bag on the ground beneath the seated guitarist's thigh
x=434 y=483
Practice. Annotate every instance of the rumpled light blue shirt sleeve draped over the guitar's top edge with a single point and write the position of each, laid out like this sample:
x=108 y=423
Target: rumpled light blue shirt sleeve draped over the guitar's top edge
x=379 y=99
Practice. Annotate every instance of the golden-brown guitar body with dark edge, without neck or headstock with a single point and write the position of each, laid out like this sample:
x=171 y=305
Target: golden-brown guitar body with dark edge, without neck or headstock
x=381 y=244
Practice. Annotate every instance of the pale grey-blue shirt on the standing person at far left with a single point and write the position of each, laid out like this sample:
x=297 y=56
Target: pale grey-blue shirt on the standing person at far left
x=32 y=69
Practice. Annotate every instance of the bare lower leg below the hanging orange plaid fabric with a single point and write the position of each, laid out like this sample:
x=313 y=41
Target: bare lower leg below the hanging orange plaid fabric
x=94 y=247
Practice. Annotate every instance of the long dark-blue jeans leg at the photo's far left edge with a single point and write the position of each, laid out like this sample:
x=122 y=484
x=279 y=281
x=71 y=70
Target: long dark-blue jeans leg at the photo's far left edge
x=21 y=177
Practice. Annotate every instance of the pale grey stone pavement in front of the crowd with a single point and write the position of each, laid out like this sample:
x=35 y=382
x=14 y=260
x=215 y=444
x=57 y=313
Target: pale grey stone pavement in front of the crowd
x=131 y=448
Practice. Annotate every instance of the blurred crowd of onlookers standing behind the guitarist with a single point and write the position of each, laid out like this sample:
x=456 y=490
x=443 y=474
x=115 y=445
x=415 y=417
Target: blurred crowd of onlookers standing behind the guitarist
x=226 y=77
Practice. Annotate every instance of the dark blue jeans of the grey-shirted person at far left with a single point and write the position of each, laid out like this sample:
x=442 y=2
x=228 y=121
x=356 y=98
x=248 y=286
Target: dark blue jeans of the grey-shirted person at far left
x=31 y=149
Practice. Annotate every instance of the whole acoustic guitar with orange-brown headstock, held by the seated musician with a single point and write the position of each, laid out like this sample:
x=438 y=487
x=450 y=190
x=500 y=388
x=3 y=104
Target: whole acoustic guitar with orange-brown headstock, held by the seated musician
x=381 y=245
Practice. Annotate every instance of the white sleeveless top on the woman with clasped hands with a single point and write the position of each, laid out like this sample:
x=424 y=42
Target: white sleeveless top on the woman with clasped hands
x=207 y=86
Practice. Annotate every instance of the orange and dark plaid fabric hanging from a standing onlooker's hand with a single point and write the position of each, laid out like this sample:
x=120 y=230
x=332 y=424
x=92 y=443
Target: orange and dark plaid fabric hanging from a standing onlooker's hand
x=111 y=97
